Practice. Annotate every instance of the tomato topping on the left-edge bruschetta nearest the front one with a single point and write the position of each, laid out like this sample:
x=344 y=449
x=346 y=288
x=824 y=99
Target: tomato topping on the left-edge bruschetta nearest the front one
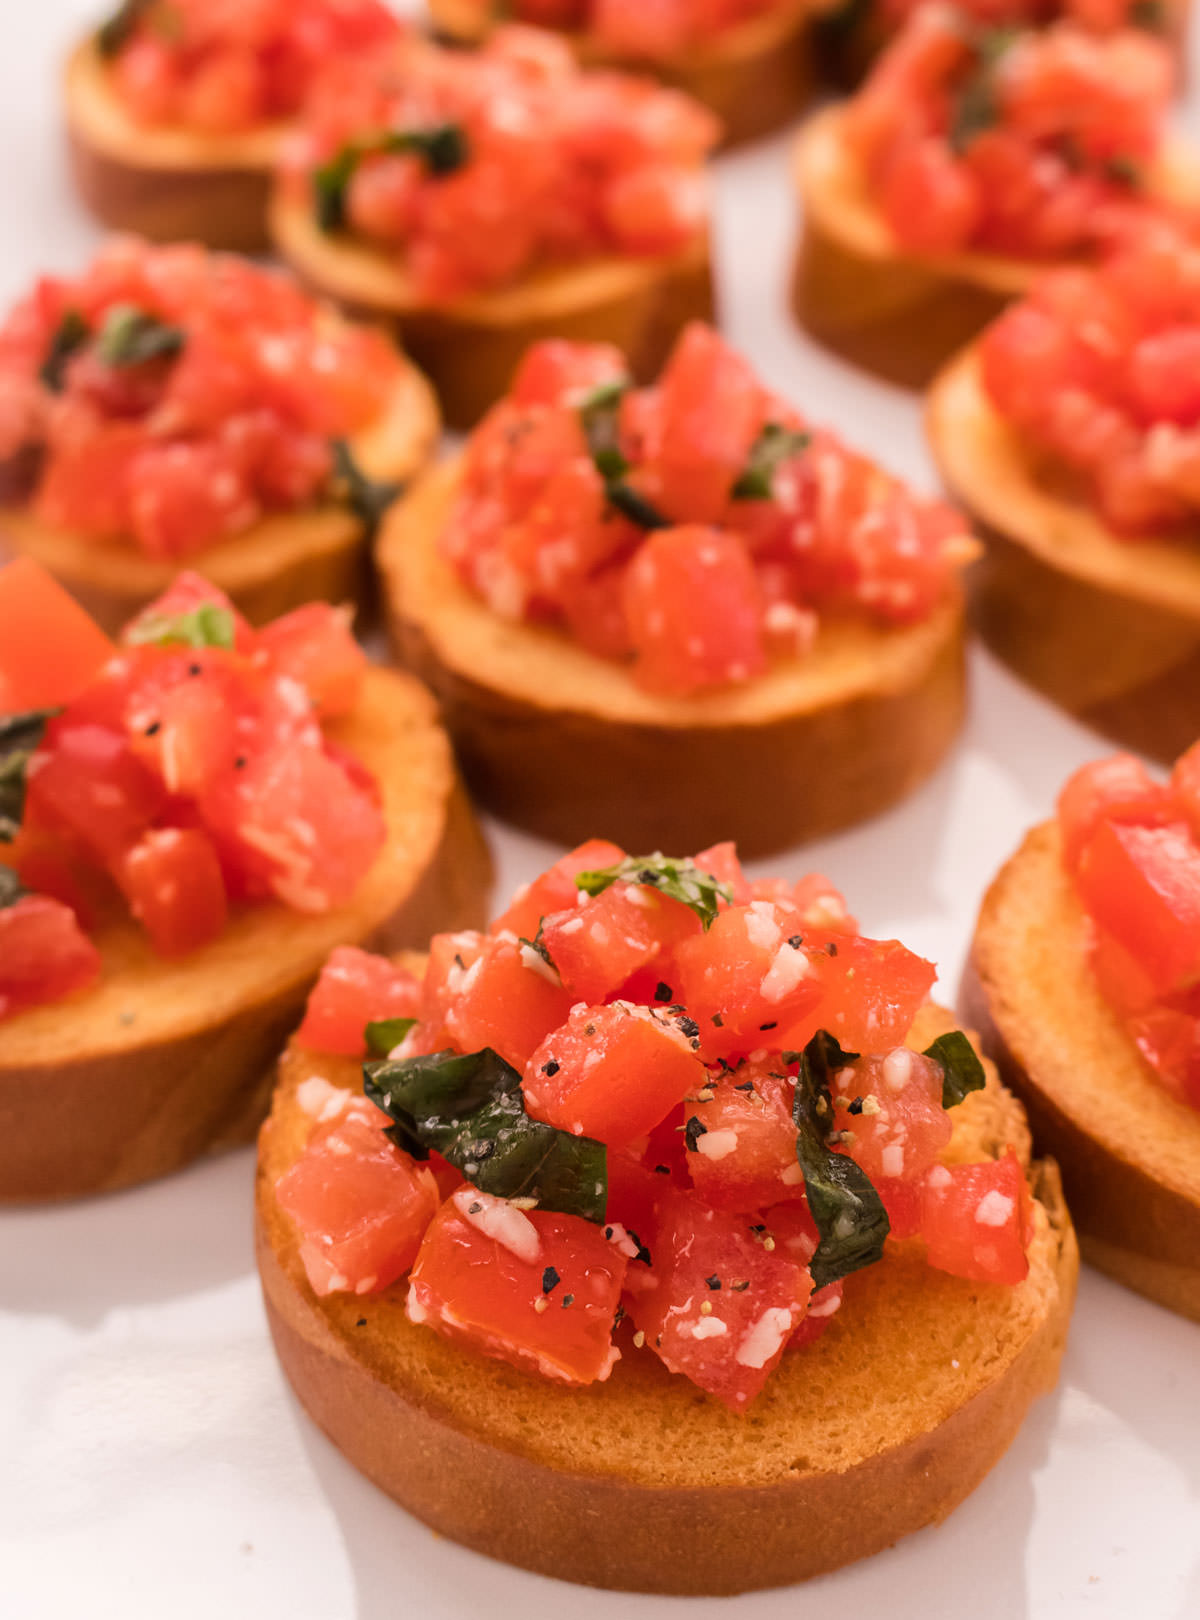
x=174 y=777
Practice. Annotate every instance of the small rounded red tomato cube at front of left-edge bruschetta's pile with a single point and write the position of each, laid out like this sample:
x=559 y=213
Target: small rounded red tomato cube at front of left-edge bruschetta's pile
x=176 y=890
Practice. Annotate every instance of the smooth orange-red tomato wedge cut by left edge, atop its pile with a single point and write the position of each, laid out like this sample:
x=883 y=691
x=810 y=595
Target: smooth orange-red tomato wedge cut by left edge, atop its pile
x=49 y=647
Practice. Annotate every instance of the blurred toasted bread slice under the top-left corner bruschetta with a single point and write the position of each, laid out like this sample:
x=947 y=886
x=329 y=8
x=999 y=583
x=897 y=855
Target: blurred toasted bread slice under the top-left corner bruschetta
x=172 y=184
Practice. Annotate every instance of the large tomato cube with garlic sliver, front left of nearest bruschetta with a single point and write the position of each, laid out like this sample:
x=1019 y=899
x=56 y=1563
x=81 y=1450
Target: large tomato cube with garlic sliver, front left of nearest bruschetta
x=538 y=1290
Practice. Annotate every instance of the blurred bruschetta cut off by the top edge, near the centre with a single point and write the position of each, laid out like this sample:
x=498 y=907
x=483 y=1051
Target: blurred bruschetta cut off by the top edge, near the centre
x=747 y=61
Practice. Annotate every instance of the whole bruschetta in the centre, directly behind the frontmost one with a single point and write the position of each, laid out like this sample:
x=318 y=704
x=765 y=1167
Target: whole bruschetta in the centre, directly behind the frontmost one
x=679 y=610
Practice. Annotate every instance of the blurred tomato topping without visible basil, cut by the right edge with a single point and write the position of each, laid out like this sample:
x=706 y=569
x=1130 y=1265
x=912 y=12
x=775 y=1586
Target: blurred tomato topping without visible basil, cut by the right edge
x=1100 y=369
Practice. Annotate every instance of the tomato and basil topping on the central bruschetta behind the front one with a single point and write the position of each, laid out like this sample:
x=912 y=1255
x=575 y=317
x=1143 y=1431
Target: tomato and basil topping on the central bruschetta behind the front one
x=696 y=529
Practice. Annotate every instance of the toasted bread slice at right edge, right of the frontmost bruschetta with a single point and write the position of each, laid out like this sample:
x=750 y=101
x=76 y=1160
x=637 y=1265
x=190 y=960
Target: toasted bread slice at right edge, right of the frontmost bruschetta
x=1130 y=1149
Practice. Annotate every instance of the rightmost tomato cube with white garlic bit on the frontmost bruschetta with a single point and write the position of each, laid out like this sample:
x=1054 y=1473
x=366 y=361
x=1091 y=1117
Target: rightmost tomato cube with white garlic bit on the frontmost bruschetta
x=976 y=1219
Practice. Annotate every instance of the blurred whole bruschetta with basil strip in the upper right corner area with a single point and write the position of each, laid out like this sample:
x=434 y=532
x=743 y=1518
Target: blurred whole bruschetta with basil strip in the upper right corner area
x=971 y=161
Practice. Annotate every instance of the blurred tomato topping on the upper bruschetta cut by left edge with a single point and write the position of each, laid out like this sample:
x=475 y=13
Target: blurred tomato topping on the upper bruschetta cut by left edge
x=172 y=398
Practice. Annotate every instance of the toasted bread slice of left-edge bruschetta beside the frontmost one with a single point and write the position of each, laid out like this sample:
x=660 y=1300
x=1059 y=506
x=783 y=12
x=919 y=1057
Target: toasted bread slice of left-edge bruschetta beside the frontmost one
x=166 y=1060
